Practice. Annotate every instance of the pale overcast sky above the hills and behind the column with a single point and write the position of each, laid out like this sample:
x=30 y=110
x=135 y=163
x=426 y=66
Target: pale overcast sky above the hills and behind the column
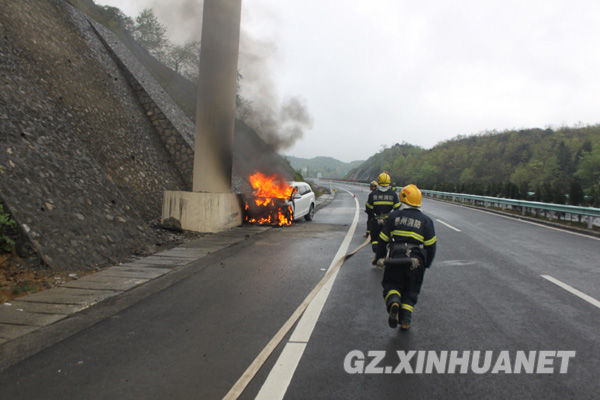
x=375 y=73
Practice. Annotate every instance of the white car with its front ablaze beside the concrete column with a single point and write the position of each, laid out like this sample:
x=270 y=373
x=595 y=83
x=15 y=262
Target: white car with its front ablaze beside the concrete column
x=277 y=202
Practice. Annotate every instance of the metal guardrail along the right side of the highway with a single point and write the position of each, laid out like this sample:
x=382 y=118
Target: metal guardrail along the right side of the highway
x=503 y=203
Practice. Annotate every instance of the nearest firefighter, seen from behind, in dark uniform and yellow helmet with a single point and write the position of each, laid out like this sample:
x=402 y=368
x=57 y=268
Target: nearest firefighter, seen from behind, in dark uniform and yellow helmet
x=407 y=233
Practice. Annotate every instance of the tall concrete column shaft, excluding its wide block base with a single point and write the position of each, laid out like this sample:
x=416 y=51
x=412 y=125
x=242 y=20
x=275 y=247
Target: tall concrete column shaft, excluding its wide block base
x=215 y=113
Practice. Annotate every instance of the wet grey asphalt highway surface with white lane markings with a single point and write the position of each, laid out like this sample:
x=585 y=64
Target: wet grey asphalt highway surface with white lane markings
x=508 y=310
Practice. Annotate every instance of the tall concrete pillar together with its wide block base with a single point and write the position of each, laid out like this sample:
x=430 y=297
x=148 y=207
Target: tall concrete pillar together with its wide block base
x=211 y=207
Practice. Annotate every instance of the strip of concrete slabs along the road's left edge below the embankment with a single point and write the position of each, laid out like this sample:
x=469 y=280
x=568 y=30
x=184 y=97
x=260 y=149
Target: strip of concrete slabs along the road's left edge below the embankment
x=29 y=314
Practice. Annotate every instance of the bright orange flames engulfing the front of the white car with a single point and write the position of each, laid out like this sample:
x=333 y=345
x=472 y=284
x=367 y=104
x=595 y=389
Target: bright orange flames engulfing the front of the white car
x=268 y=188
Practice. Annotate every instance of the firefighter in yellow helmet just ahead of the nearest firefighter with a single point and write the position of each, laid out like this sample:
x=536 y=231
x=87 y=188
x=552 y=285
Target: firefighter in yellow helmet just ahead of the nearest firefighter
x=380 y=203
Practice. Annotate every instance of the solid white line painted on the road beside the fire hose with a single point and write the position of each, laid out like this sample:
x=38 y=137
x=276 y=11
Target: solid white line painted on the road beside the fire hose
x=282 y=373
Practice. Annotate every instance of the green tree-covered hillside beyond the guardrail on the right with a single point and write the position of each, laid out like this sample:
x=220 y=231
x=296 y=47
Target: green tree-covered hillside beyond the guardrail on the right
x=559 y=166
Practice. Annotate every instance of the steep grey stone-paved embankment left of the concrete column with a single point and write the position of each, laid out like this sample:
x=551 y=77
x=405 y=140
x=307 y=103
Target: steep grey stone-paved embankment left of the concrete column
x=88 y=140
